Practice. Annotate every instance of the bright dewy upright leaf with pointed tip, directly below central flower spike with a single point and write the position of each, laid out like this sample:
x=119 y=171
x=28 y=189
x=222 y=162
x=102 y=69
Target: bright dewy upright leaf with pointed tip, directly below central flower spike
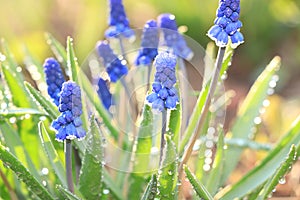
x=167 y=174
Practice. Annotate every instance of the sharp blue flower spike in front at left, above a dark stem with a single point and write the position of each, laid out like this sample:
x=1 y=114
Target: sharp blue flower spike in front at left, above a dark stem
x=69 y=124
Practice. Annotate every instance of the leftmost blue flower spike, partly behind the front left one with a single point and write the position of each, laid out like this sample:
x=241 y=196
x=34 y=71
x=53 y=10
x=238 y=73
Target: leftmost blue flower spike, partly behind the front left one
x=54 y=78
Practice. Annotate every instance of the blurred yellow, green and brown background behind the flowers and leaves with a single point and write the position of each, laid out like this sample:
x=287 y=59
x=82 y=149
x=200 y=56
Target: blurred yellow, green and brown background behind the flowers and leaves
x=271 y=27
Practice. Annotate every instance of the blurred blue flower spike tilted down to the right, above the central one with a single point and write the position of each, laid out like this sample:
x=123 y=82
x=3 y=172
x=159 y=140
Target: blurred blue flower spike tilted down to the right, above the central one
x=172 y=38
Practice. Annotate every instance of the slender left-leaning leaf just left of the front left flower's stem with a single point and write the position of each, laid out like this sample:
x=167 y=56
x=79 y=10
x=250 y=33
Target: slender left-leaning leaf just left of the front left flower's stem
x=52 y=154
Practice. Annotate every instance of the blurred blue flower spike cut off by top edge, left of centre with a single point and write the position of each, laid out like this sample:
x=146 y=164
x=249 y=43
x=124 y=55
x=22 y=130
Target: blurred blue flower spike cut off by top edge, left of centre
x=118 y=22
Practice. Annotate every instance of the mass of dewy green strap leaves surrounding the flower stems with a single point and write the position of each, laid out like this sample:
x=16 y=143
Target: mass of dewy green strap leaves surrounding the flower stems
x=143 y=176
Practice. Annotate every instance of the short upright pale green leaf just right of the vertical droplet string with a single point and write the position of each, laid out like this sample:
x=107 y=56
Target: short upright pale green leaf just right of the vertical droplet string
x=215 y=174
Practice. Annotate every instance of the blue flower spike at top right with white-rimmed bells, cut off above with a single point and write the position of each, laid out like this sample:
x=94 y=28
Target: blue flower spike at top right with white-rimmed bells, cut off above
x=227 y=24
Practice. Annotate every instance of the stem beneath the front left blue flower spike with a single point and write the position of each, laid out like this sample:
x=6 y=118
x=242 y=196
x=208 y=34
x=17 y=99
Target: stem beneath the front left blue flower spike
x=68 y=159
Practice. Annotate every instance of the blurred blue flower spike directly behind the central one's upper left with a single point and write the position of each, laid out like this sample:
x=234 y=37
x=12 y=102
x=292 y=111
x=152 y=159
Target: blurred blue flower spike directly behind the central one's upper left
x=149 y=44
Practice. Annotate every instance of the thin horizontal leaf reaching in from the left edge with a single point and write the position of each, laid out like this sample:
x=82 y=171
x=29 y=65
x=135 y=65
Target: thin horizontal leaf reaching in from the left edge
x=20 y=112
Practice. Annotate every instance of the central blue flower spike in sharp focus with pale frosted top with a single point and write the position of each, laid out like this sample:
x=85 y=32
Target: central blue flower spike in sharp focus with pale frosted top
x=164 y=95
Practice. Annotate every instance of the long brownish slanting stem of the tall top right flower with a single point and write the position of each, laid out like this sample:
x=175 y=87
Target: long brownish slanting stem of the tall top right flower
x=205 y=109
